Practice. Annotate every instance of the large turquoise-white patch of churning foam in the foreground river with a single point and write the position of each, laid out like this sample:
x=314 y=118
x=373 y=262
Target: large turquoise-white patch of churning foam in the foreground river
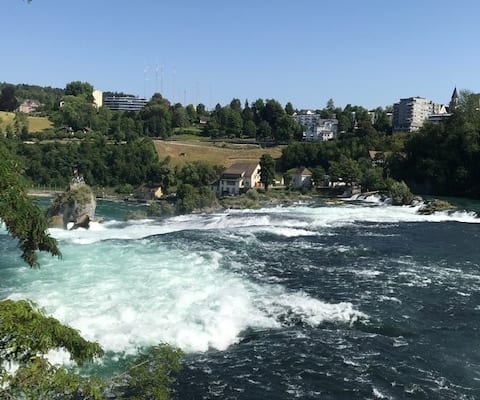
x=129 y=296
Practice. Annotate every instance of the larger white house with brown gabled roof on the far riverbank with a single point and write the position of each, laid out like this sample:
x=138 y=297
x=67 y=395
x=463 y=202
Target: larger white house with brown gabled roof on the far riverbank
x=239 y=178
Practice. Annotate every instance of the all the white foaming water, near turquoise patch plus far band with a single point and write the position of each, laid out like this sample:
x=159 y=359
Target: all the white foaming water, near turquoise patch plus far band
x=131 y=292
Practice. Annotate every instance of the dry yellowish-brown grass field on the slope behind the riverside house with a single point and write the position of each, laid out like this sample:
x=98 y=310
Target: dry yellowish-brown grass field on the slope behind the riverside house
x=219 y=153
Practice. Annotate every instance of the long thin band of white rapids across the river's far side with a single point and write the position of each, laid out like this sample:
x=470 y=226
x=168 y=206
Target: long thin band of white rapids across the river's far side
x=284 y=221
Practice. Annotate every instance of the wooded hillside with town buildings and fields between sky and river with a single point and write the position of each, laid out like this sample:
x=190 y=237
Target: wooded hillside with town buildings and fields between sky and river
x=148 y=149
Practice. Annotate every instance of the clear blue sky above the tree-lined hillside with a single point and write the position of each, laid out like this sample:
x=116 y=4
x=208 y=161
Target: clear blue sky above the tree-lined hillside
x=363 y=52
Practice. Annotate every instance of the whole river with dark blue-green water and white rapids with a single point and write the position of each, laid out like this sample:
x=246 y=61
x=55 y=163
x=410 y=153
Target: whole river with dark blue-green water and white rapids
x=358 y=300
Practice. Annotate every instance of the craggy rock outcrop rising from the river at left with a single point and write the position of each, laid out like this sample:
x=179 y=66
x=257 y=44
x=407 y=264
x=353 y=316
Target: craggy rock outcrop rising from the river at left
x=77 y=205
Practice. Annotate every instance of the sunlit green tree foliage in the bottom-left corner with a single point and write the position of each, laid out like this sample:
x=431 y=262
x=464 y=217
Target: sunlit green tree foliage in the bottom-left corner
x=27 y=336
